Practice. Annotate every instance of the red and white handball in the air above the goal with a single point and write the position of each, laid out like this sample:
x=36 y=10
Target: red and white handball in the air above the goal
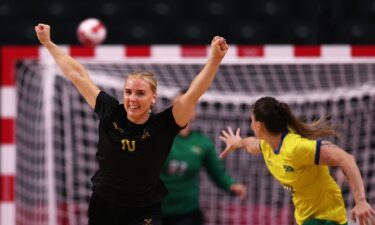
x=91 y=32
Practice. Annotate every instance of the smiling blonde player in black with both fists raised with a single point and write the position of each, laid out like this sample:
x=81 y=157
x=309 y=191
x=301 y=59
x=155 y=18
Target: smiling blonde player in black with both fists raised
x=133 y=142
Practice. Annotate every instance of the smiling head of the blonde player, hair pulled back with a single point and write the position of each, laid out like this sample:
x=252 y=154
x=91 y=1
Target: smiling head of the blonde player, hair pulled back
x=138 y=99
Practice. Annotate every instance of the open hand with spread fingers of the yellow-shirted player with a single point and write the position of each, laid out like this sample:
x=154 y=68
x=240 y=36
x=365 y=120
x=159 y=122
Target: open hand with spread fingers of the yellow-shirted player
x=233 y=141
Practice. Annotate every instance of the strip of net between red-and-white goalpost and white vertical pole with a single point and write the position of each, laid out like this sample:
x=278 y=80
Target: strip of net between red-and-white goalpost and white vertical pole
x=31 y=189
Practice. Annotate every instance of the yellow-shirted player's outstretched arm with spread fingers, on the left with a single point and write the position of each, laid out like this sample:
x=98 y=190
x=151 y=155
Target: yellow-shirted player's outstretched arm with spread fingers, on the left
x=235 y=141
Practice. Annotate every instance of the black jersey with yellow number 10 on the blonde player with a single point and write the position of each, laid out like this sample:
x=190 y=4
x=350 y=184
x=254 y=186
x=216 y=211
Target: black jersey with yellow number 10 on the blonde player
x=130 y=155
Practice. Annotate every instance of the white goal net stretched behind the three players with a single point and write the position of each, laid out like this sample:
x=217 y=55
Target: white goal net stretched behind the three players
x=57 y=132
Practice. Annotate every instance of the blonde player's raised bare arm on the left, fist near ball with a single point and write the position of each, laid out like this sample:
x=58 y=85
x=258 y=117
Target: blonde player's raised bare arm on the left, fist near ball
x=73 y=70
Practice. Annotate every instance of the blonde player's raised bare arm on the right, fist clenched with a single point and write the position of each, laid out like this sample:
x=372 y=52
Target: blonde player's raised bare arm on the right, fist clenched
x=184 y=106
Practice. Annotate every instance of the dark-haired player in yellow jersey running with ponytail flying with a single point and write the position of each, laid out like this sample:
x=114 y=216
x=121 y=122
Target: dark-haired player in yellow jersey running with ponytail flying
x=299 y=160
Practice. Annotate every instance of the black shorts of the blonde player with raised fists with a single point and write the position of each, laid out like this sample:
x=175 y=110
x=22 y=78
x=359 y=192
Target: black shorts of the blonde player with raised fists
x=102 y=212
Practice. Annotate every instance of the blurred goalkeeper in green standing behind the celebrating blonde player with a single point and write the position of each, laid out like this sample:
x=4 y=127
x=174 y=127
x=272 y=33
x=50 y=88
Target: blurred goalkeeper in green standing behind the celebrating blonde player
x=191 y=152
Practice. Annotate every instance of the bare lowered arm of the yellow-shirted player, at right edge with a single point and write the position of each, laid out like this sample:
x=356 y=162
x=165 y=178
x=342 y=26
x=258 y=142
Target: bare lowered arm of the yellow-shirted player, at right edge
x=332 y=155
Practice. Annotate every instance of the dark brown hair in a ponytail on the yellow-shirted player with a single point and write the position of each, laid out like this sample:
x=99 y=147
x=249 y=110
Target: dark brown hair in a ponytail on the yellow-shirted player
x=277 y=117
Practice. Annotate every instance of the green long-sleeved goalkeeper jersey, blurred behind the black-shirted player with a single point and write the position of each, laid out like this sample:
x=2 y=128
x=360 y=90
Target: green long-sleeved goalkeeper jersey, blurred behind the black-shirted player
x=180 y=172
